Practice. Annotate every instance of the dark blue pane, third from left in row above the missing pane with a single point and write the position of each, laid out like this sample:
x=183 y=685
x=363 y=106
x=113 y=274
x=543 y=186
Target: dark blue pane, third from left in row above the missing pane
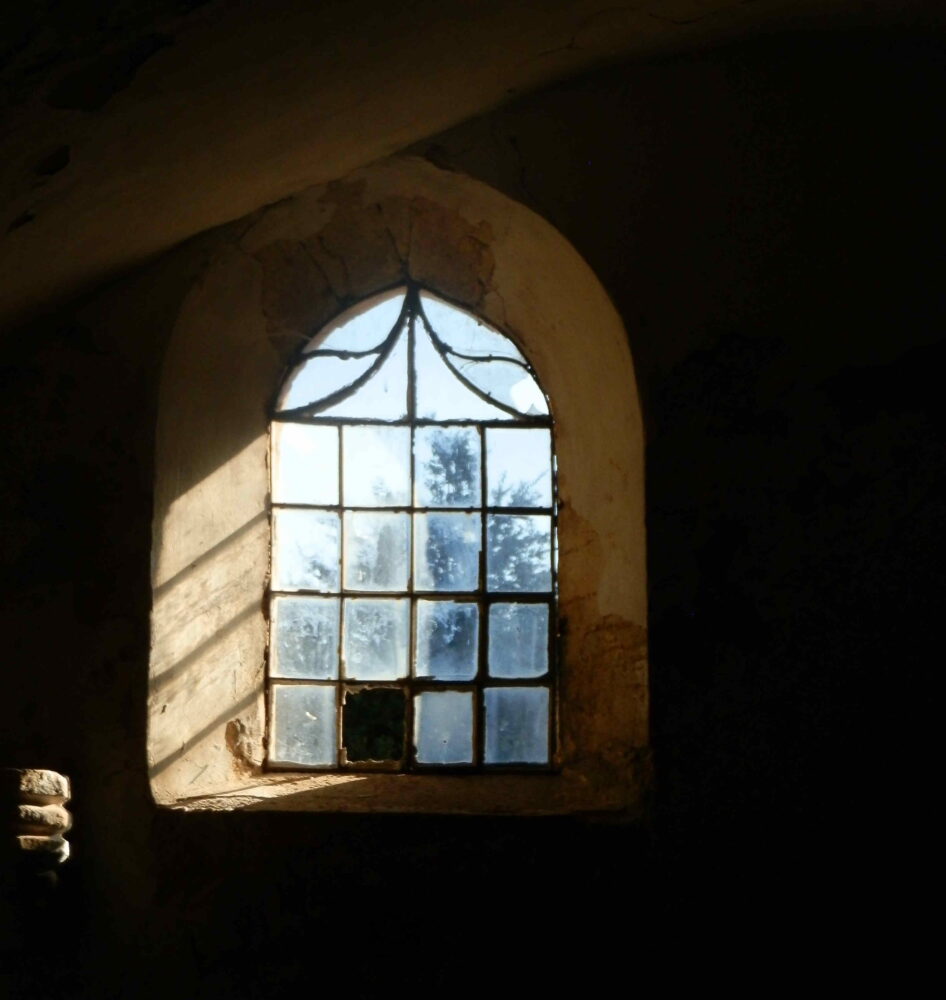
x=447 y=640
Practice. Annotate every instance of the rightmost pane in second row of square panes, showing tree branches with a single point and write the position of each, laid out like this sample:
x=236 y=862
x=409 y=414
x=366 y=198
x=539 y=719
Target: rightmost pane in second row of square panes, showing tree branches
x=519 y=552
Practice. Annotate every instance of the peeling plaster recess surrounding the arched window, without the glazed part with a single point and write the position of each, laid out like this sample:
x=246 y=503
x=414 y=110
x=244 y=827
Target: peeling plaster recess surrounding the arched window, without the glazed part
x=266 y=283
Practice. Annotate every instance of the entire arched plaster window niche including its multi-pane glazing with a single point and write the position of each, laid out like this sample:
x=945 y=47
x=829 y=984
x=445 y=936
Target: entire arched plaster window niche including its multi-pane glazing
x=346 y=640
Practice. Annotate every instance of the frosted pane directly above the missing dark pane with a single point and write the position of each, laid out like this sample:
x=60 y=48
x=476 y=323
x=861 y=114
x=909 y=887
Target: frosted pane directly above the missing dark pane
x=376 y=636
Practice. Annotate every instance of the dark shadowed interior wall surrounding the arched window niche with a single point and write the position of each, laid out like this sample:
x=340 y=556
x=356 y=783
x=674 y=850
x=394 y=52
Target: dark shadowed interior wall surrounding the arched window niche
x=765 y=218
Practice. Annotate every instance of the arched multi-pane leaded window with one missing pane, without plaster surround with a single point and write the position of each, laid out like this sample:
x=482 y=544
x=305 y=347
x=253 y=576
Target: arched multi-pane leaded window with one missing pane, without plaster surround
x=412 y=608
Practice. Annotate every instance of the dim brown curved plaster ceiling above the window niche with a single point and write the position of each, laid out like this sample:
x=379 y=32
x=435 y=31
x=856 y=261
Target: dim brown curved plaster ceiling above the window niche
x=131 y=126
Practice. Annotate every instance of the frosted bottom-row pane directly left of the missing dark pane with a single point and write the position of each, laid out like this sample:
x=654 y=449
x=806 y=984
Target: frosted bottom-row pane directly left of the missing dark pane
x=304 y=725
